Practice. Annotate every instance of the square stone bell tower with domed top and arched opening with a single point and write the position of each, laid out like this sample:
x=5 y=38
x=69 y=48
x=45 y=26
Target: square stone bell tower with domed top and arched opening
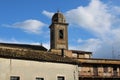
x=58 y=32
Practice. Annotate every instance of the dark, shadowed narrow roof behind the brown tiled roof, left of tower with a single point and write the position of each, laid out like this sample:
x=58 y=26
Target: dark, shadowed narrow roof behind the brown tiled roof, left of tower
x=26 y=46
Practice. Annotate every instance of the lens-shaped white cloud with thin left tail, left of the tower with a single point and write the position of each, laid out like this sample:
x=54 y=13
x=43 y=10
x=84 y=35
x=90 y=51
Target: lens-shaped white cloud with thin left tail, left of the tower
x=29 y=26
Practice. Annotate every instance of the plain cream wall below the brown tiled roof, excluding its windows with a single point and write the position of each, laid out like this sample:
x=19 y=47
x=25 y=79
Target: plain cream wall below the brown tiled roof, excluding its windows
x=29 y=70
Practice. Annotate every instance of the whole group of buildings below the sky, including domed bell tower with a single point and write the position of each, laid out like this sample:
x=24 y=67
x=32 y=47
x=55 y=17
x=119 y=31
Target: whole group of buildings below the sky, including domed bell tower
x=35 y=62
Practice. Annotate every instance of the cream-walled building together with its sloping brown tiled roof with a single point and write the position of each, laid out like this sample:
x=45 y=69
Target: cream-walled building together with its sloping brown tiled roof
x=24 y=64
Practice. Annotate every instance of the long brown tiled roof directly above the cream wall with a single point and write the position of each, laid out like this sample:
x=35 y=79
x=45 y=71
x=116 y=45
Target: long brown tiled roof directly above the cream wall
x=35 y=55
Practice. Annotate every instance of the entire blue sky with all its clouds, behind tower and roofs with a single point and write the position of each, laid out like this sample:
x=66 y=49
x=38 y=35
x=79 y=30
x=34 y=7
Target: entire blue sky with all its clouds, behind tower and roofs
x=94 y=25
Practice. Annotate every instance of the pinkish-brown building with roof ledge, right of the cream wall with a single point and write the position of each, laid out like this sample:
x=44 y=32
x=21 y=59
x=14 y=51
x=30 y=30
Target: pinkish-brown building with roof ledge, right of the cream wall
x=99 y=69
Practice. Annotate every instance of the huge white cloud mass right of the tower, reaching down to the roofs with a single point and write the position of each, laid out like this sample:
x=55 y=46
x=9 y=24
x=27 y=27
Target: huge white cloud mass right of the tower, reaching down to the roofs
x=103 y=22
